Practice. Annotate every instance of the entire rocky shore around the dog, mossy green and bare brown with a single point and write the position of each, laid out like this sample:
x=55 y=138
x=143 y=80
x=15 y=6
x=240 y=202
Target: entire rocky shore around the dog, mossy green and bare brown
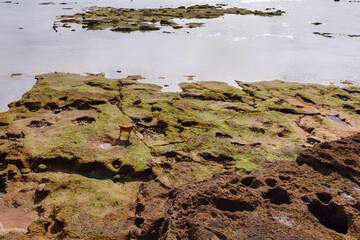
x=210 y=162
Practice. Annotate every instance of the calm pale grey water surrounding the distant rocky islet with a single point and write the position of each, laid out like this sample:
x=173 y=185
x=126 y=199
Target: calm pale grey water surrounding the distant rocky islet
x=246 y=48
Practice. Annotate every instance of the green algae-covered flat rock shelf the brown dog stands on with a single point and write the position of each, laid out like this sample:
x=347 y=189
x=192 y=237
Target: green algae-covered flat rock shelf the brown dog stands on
x=87 y=181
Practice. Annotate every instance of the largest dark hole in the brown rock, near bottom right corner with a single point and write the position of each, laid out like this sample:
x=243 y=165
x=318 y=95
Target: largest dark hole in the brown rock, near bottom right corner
x=332 y=216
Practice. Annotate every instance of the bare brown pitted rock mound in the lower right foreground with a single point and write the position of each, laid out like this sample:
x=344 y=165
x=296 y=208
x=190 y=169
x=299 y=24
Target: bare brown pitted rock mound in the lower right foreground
x=282 y=201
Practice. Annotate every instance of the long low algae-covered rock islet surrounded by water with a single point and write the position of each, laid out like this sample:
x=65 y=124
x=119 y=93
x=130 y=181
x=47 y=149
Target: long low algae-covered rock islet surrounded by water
x=129 y=20
